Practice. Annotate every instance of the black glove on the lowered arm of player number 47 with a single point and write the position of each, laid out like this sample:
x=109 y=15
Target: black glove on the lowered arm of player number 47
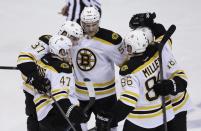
x=76 y=114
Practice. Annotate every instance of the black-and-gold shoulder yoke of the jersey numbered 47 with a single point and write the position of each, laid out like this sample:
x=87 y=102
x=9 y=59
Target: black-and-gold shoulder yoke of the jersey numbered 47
x=55 y=64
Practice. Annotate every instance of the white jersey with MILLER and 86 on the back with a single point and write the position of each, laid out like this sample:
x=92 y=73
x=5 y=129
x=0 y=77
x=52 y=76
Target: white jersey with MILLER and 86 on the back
x=138 y=77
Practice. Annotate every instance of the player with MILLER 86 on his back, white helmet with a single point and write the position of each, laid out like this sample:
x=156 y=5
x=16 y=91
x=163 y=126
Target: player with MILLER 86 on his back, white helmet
x=140 y=102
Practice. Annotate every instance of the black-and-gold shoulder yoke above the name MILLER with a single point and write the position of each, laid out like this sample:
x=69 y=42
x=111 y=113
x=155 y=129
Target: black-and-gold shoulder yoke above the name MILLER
x=136 y=63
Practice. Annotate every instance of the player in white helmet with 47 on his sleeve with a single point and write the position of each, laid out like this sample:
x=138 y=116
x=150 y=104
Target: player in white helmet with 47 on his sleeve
x=56 y=70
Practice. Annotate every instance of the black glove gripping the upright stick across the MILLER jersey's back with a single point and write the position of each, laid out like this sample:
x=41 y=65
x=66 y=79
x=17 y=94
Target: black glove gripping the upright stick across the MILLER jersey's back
x=165 y=87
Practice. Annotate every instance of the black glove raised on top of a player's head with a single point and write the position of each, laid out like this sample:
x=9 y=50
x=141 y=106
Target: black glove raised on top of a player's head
x=142 y=19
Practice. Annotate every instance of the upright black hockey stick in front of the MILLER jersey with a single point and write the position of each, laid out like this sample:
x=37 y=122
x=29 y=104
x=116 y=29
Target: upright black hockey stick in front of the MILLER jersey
x=167 y=35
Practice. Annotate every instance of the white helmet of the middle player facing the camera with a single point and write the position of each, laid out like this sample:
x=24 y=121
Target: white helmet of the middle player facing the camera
x=90 y=15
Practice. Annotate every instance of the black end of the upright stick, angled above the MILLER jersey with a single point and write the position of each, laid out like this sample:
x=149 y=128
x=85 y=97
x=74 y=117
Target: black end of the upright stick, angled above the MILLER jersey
x=167 y=35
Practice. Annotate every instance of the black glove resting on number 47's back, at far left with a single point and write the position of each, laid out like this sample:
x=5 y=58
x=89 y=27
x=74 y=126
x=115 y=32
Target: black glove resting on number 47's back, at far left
x=40 y=83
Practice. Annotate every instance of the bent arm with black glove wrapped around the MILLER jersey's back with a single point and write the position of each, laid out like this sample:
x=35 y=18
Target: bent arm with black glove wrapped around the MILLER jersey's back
x=177 y=79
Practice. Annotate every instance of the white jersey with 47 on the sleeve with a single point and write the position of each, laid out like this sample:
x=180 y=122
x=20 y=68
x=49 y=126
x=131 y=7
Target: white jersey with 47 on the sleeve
x=62 y=82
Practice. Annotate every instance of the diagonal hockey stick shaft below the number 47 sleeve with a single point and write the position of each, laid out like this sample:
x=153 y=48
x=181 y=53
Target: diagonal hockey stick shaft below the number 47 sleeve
x=61 y=110
